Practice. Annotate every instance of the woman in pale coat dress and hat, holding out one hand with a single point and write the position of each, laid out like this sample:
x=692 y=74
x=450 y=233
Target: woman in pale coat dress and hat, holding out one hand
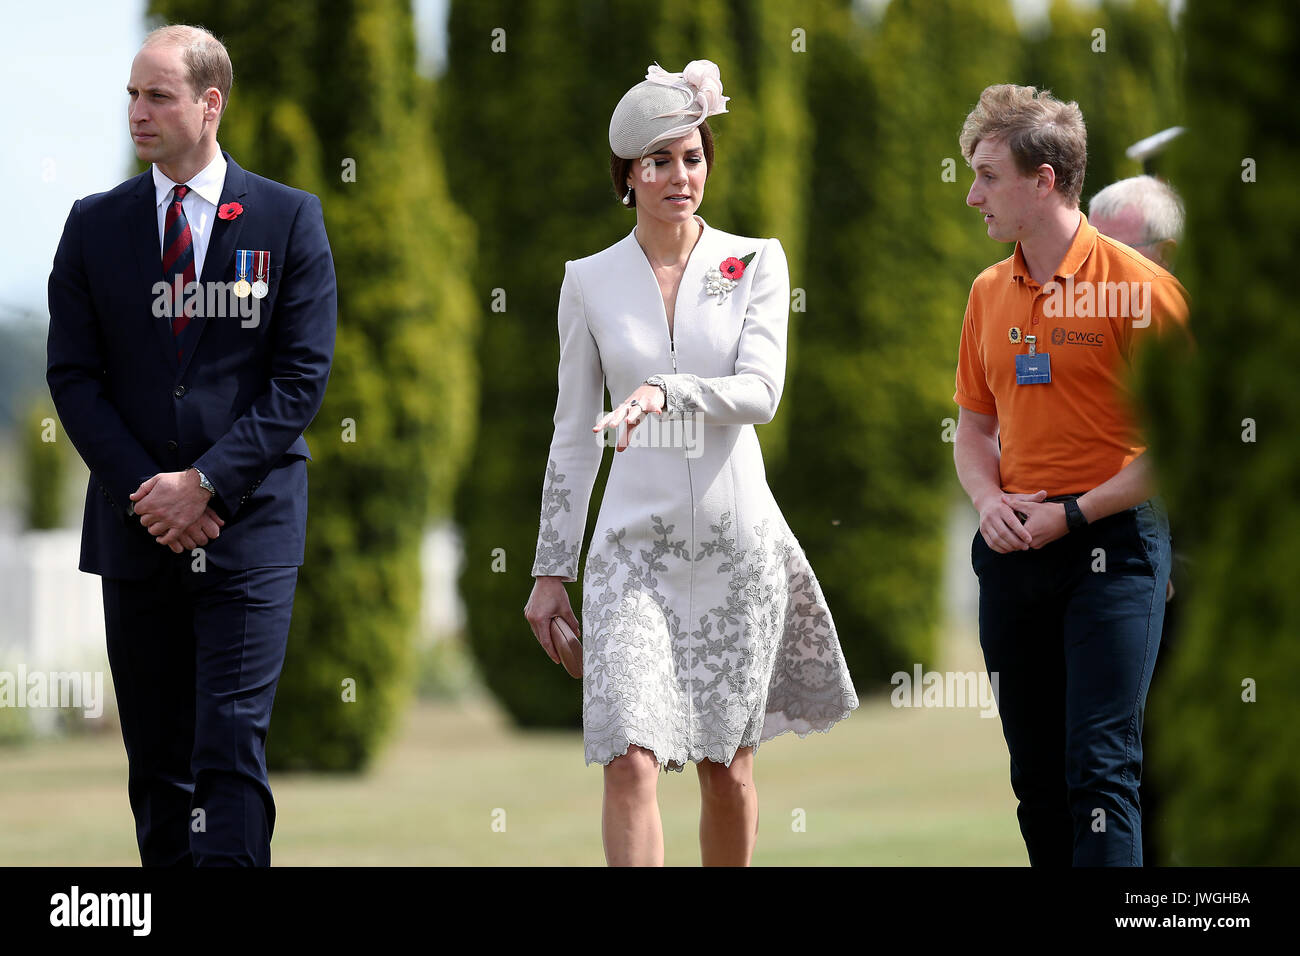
x=704 y=629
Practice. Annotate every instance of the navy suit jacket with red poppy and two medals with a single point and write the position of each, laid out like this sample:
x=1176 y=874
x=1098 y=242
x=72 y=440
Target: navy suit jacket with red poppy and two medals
x=235 y=406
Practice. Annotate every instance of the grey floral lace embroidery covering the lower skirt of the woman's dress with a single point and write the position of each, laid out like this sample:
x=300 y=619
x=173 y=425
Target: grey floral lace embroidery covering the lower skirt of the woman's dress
x=765 y=661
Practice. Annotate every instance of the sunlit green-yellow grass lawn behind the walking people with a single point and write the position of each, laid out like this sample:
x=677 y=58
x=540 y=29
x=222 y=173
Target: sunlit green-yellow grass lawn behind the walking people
x=885 y=788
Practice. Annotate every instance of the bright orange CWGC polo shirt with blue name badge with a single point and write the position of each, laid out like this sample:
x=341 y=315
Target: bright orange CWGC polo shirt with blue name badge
x=1073 y=434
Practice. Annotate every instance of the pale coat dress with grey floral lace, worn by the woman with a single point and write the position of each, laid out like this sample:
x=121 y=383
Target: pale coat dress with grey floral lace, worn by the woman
x=704 y=628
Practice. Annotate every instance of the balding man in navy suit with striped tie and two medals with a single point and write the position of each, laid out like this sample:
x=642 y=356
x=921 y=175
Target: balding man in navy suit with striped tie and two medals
x=190 y=416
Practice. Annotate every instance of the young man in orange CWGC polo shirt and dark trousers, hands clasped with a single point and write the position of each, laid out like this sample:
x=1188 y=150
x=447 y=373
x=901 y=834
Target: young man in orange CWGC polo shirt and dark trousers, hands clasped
x=1073 y=552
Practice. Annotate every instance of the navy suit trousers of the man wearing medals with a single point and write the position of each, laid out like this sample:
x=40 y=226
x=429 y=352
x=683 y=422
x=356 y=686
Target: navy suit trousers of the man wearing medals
x=196 y=659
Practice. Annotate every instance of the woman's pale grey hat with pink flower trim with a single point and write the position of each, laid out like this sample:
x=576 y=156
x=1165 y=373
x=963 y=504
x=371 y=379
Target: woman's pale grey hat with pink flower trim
x=664 y=107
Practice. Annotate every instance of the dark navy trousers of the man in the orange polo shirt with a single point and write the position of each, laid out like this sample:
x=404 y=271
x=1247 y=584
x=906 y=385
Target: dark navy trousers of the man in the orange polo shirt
x=1072 y=631
